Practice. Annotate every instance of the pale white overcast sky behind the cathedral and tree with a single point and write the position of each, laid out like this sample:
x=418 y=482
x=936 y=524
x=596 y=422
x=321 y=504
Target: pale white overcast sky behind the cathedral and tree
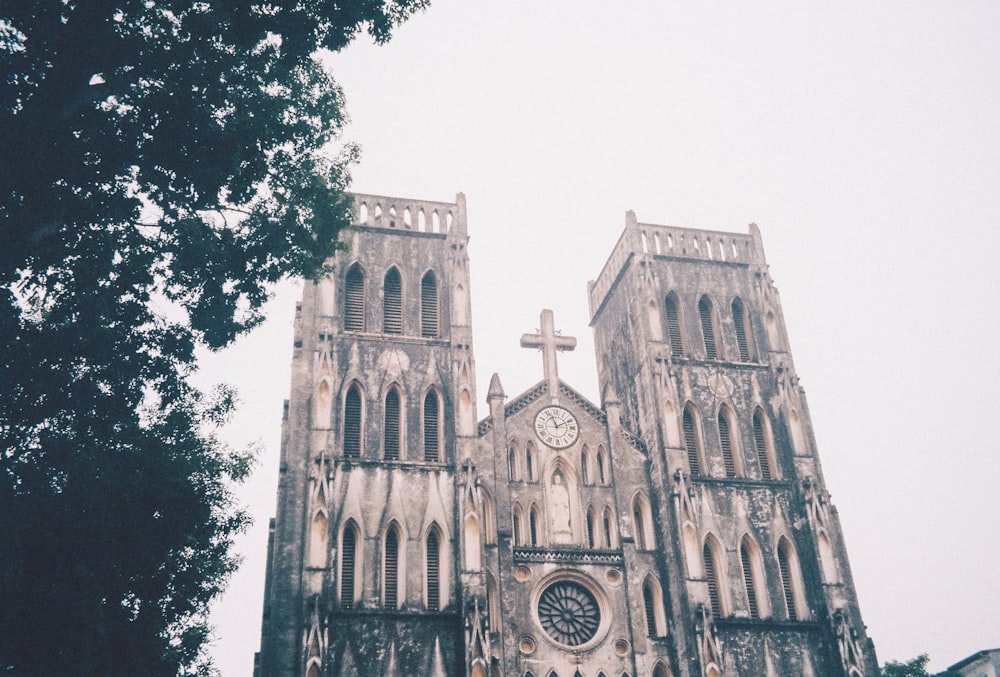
x=864 y=140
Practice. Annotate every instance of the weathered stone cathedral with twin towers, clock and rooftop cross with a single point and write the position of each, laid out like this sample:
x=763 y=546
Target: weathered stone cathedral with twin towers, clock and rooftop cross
x=680 y=527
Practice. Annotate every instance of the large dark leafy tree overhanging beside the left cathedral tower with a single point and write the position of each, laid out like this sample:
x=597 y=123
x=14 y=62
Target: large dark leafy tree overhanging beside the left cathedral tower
x=162 y=162
